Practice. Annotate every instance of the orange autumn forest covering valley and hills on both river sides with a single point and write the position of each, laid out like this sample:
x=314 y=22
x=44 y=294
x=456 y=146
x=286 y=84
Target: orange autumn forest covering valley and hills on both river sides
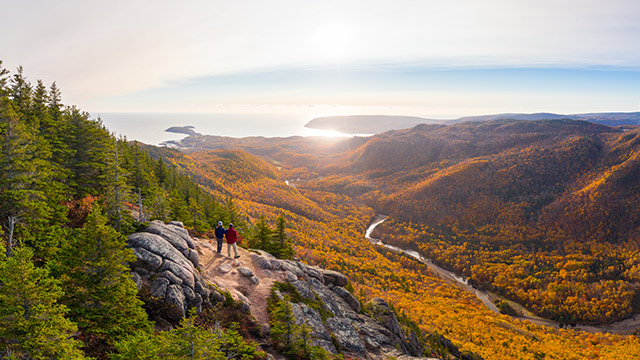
x=527 y=209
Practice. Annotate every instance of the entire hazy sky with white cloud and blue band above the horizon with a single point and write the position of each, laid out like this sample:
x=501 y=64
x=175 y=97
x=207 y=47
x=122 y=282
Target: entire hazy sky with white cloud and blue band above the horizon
x=426 y=58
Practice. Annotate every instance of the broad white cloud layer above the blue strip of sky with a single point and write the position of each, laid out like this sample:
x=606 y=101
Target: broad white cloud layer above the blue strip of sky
x=98 y=51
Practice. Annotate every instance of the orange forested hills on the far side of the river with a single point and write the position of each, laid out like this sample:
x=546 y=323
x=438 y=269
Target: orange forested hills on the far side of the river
x=546 y=192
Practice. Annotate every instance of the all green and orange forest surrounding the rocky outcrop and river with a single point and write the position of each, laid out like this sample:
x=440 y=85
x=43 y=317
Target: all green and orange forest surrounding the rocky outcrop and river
x=543 y=213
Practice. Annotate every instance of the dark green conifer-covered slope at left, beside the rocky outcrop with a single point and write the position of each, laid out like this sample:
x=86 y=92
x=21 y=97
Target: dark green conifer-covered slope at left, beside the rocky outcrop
x=69 y=190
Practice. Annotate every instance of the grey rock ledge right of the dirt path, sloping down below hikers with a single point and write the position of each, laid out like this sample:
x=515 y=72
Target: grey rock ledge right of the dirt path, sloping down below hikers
x=342 y=326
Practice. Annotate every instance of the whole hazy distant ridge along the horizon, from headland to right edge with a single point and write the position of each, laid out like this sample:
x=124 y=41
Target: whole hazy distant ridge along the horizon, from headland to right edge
x=376 y=124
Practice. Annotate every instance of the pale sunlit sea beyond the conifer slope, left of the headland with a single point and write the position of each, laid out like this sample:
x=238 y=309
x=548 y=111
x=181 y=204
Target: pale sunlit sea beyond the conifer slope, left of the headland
x=149 y=128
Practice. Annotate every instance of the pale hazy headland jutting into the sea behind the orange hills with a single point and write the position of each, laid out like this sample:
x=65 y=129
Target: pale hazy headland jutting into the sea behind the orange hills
x=367 y=124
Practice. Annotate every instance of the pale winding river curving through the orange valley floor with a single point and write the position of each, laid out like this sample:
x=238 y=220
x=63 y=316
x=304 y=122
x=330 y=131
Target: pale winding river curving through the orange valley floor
x=626 y=326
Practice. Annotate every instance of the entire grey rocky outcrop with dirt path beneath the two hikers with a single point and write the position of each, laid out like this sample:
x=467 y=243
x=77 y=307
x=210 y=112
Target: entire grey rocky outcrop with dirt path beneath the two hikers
x=167 y=270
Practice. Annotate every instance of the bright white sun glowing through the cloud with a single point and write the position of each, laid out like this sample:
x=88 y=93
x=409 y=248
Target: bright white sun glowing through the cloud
x=333 y=42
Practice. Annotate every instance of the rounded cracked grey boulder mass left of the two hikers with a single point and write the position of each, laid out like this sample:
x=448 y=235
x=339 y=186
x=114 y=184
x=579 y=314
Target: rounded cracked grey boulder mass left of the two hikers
x=167 y=269
